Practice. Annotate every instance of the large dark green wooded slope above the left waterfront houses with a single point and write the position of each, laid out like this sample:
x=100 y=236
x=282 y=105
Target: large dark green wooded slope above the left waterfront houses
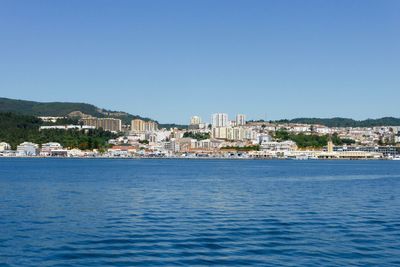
x=15 y=129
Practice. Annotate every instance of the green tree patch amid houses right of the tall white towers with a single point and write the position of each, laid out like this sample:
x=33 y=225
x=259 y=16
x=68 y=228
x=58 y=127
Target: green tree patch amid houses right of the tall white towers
x=311 y=140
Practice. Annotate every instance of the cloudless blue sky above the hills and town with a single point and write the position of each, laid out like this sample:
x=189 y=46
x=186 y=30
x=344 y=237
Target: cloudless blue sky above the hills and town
x=169 y=60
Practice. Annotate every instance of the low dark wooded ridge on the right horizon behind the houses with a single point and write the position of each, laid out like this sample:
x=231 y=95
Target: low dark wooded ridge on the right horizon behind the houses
x=345 y=122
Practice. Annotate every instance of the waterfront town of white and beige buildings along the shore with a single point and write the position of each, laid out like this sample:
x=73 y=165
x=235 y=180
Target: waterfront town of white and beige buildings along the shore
x=222 y=138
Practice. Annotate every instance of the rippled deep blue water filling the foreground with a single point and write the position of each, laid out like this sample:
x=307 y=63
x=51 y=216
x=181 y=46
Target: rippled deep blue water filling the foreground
x=72 y=212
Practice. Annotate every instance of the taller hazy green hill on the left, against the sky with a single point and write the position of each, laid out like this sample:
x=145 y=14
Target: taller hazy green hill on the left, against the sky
x=59 y=109
